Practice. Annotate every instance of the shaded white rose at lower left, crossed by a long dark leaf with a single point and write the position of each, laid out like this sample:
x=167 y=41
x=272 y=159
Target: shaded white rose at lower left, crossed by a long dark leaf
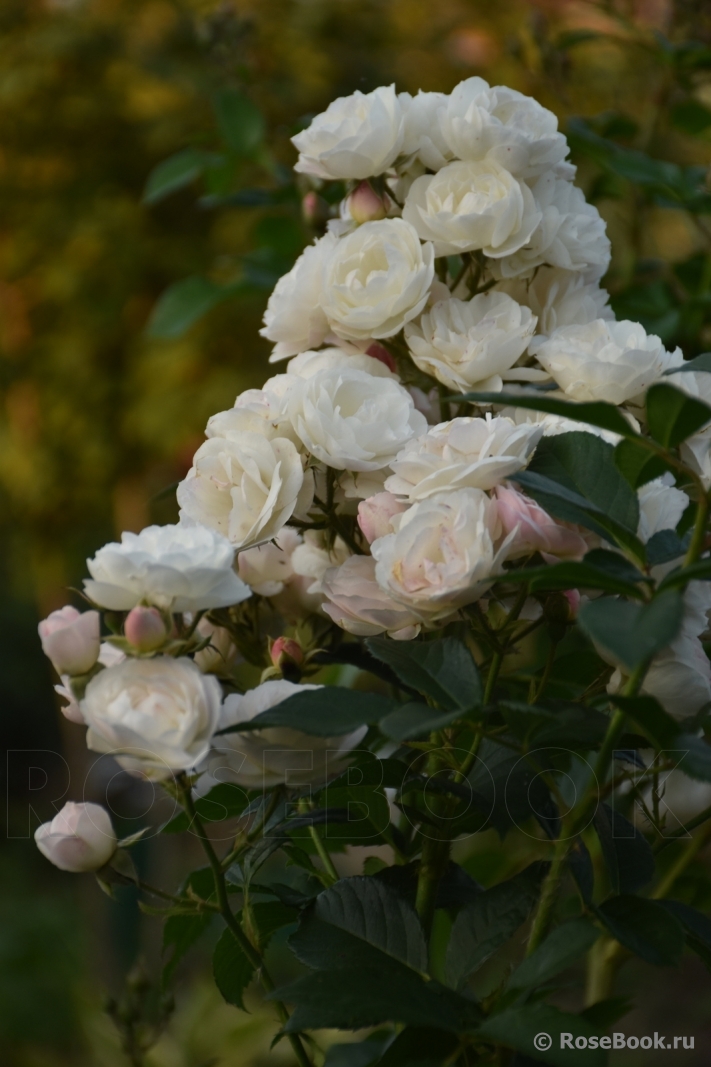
x=279 y=756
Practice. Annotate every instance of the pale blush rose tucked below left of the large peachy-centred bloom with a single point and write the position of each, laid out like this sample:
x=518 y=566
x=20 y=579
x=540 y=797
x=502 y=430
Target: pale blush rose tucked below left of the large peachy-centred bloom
x=357 y=603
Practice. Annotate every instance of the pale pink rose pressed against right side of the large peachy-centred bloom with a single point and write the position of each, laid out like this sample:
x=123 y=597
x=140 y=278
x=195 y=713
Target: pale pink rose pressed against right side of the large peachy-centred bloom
x=535 y=530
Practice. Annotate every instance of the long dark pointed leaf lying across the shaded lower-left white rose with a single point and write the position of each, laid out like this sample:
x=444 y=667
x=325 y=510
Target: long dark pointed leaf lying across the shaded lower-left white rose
x=323 y=713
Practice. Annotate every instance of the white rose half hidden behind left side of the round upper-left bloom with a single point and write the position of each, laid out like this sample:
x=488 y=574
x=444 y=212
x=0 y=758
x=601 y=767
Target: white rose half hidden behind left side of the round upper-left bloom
x=294 y=318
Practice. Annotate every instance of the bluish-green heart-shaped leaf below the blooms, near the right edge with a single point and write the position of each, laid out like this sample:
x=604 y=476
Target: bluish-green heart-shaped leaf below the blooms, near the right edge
x=633 y=633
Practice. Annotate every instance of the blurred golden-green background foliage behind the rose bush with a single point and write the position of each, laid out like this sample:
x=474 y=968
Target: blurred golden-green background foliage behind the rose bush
x=131 y=297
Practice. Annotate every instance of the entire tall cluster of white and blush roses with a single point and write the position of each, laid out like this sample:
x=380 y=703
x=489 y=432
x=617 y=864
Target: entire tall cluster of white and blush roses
x=355 y=484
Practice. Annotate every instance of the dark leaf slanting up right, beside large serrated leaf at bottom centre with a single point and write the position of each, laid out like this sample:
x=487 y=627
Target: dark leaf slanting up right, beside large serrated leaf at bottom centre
x=488 y=922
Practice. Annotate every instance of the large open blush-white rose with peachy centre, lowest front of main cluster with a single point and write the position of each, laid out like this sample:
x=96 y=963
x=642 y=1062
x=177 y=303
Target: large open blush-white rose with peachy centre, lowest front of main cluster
x=443 y=555
